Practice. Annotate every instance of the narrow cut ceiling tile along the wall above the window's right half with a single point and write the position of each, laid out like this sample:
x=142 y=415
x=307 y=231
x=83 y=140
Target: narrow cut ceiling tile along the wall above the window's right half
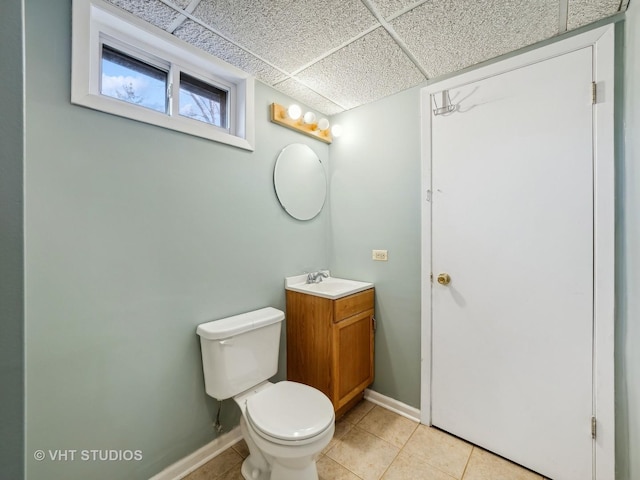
x=205 y=39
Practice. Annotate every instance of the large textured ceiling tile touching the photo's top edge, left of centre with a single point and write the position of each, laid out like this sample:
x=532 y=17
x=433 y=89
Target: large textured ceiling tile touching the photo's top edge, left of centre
x=288 y=34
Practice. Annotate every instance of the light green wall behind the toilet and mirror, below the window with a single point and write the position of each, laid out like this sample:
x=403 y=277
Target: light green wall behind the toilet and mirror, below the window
x=134 y=235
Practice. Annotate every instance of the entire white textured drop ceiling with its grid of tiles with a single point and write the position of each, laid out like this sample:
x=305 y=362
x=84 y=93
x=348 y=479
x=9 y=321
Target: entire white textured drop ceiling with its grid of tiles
x=338 y=54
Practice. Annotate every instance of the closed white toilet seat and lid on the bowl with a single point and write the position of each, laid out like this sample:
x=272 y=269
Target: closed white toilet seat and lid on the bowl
x=289 y=412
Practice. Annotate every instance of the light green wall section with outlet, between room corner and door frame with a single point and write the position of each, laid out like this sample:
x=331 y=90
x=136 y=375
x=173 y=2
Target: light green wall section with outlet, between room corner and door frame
x=375 y=204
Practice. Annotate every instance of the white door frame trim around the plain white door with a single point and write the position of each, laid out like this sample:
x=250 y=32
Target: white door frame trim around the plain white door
x=603 y=42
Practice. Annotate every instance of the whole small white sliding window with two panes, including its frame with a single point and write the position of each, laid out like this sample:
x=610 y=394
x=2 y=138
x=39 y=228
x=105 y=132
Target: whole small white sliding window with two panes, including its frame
x=122 y=66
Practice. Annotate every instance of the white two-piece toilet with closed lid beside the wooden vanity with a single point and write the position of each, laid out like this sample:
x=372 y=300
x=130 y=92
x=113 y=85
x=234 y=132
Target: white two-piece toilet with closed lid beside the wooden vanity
x=286 y=424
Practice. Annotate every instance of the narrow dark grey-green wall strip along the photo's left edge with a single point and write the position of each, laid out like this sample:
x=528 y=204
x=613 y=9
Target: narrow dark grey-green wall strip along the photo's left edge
x=11 y=242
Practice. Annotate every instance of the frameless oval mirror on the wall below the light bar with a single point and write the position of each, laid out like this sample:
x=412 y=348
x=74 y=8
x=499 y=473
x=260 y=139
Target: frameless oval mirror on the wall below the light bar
x=300 y=181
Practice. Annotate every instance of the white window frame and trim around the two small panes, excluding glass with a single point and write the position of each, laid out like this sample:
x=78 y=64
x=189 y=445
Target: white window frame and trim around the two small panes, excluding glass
x=96 y=22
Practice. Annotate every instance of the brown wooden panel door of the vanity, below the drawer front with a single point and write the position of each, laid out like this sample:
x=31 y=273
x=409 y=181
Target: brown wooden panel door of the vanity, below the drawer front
x=352 y=356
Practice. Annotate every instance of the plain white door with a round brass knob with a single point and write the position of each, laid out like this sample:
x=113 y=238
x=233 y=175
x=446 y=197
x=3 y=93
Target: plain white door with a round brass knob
x=512 y=225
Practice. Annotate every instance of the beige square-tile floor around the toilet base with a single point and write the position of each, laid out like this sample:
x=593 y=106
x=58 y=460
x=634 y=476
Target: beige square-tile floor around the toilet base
x=371 y=443
